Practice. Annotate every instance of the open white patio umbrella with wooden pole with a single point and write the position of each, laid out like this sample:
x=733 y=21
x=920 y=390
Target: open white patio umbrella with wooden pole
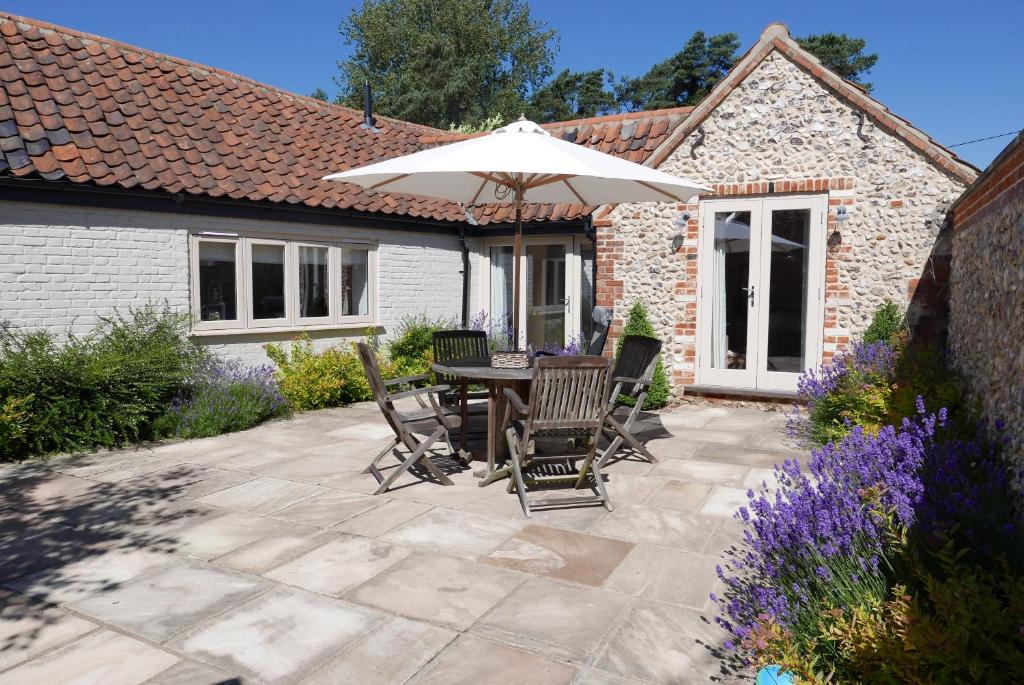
x=521 y=163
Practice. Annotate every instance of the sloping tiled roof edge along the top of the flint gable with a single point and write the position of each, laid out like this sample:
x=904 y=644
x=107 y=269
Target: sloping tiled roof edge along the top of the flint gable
x=777 y=37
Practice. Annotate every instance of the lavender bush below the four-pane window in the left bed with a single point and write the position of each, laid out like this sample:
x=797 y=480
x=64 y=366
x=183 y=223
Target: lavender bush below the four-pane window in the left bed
x=225 y=397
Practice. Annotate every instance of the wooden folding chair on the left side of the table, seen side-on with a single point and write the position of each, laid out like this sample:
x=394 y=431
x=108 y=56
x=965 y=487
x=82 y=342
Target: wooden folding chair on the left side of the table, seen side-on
x=408 y=424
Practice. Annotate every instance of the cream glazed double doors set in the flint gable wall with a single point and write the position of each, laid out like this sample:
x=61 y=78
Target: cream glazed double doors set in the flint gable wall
x=762 y=286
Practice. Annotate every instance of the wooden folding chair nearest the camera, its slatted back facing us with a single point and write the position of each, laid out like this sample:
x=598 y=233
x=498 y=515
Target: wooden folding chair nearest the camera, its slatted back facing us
x=568 y=399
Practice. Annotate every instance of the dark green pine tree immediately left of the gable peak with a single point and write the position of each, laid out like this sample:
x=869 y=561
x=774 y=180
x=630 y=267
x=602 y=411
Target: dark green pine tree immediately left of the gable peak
x=685 y=78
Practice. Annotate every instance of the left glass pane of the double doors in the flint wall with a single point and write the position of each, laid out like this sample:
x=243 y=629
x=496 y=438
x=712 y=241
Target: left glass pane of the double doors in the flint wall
x=731 y=271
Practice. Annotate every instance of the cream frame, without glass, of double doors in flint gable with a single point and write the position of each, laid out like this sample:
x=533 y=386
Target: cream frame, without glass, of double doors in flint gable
x=754 y=377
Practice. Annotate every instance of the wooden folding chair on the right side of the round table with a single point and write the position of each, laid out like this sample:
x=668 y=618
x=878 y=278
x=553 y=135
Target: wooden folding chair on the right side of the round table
x=632 y=377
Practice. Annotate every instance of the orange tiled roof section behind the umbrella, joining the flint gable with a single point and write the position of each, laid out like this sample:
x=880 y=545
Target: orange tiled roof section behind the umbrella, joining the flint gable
x=633 y=136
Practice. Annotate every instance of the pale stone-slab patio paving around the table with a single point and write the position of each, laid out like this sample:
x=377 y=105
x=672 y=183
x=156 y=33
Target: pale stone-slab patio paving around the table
x=262 y=558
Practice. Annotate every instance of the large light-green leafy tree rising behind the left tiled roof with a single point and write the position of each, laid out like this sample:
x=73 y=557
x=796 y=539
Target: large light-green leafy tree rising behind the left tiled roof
x=445 y=62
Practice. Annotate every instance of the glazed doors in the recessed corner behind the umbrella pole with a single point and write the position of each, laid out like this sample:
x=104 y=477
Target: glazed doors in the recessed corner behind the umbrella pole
x=549 y=293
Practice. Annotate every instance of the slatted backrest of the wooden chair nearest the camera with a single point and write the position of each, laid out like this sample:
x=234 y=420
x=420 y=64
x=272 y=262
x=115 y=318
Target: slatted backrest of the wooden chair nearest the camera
x=569 y=393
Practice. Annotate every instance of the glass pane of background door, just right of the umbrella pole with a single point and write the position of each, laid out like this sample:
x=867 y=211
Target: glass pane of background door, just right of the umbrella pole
x=545 y=296
